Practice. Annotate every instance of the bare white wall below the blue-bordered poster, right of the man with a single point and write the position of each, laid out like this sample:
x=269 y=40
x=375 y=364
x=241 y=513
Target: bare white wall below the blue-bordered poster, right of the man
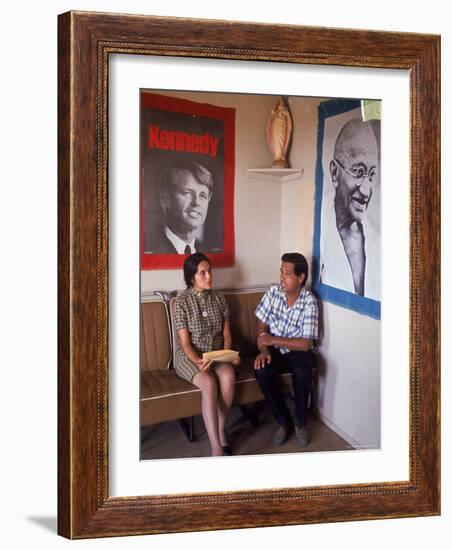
x=349 y=376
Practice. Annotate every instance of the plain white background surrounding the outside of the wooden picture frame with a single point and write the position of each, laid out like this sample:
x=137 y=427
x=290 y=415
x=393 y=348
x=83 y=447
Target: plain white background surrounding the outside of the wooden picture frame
x=28 y=275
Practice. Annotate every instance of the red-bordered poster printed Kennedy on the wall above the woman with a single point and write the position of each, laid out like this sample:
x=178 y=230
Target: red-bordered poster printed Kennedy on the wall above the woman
x=187 y=181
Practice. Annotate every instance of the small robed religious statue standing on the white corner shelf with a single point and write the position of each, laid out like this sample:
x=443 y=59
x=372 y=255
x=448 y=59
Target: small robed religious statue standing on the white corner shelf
x=279 y=131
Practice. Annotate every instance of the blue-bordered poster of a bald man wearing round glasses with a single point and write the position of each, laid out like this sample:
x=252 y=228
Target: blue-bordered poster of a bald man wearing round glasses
x=347 y=245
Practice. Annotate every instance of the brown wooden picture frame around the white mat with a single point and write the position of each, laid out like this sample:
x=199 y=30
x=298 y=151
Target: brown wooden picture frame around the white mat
x=86 y=40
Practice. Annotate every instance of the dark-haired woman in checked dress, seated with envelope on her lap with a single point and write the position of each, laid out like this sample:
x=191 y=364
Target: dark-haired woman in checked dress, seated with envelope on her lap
x=201 y=320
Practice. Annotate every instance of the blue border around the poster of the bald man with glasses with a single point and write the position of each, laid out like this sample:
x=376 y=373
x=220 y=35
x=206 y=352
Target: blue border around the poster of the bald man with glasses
x=339 y=297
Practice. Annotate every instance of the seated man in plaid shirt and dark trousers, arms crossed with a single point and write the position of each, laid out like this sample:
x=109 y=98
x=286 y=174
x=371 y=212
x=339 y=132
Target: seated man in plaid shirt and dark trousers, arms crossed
x=287 y=325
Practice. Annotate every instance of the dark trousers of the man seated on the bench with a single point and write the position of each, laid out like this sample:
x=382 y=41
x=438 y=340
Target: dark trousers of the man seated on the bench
x=299 y=364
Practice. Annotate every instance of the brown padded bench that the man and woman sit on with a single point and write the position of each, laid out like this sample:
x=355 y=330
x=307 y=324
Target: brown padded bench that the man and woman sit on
x=165 y=396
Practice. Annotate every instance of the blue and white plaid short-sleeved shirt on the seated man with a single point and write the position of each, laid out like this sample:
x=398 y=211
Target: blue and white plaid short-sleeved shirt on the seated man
x=301 y=320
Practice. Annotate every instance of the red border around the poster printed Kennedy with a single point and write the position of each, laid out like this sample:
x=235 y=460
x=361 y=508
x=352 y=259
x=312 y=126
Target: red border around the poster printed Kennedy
x=227 y=115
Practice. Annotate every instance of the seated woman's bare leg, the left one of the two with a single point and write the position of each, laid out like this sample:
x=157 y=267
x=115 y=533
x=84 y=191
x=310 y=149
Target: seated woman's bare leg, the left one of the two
x=207 y=382
